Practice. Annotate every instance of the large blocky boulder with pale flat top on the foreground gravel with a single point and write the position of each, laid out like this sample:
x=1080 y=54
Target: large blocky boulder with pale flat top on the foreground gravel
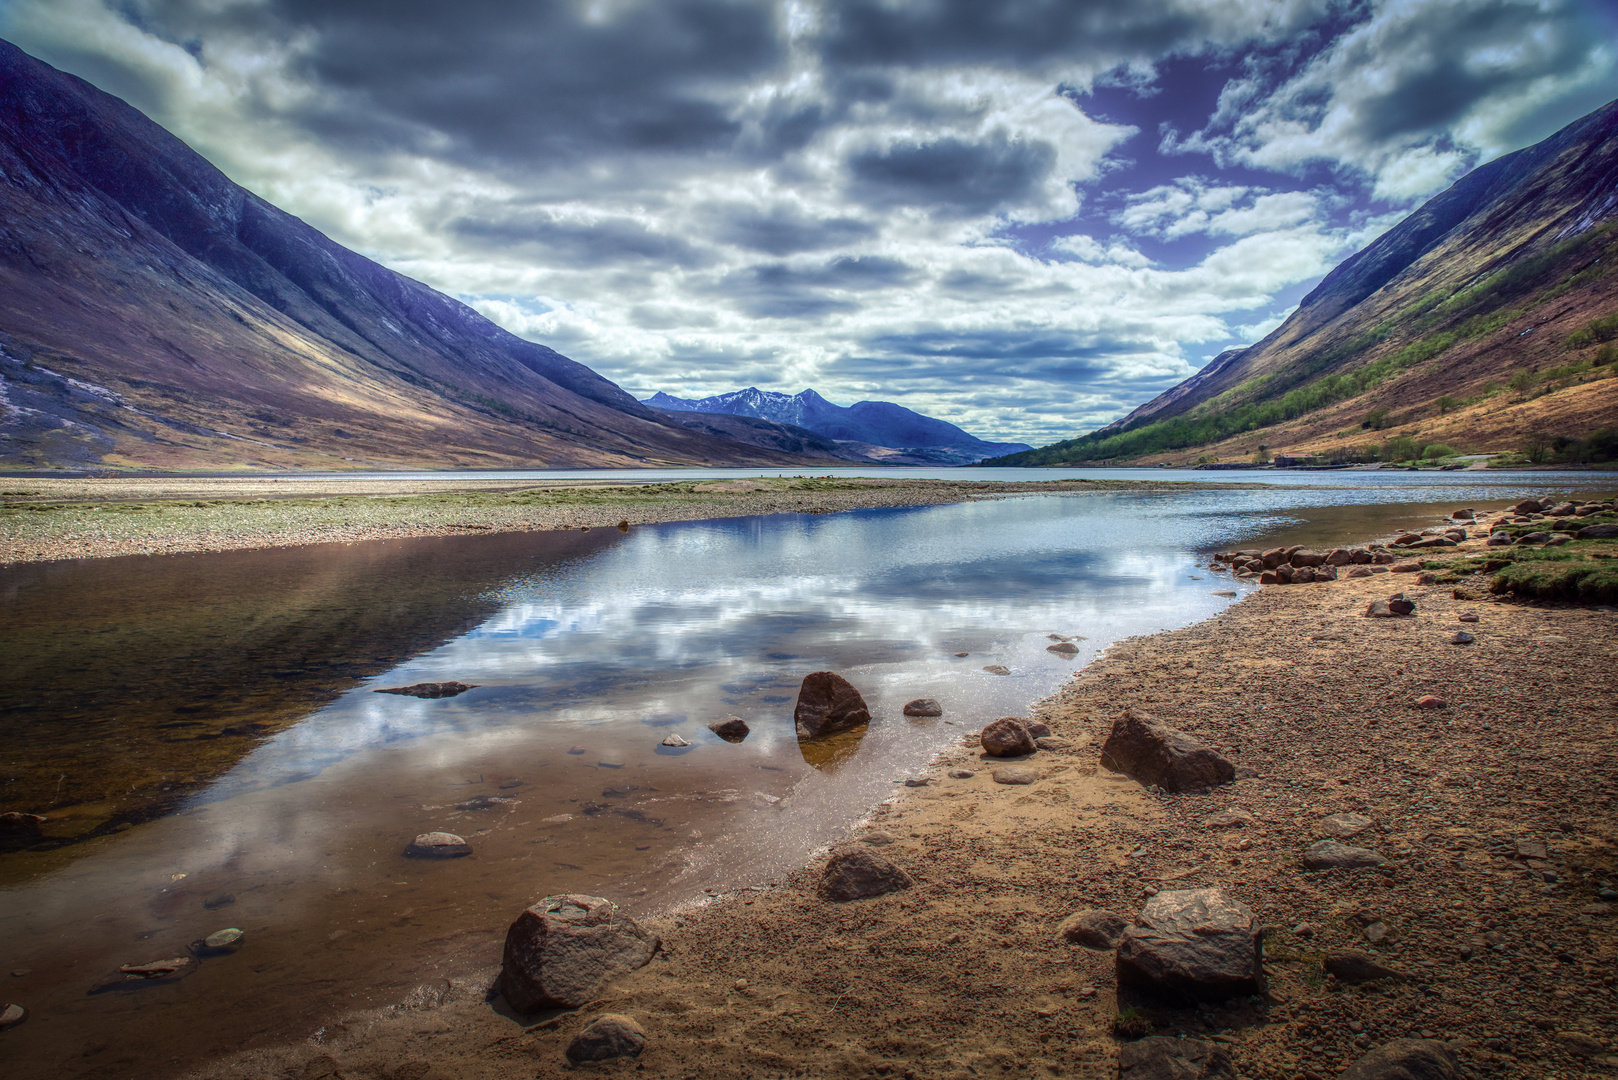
x=1193 y=943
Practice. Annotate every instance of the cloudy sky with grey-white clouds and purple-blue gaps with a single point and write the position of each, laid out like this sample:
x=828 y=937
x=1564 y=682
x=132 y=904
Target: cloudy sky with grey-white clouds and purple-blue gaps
x=1022 y=216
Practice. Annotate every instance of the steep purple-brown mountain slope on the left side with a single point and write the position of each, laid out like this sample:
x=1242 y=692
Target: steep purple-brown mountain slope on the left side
x=153 y=313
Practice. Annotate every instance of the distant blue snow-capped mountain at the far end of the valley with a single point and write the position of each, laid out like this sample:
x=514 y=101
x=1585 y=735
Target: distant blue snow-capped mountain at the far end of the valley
x=868 y=423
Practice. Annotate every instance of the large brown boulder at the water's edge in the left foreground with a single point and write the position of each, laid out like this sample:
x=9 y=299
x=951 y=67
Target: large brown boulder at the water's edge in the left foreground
x=564 y=951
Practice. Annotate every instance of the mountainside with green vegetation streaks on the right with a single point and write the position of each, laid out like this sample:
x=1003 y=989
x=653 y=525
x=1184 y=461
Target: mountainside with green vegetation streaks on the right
x=1485 y=321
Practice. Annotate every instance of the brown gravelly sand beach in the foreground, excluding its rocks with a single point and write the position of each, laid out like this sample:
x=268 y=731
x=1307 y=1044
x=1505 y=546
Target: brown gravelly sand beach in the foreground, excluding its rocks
x=965 y=976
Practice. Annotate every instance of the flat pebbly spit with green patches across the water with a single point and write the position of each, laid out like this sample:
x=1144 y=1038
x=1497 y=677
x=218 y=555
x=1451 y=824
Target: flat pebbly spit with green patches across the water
x=106 y=519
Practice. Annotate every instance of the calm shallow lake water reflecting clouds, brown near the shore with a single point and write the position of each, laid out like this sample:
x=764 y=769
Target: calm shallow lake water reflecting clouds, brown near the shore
x=205 y=738
